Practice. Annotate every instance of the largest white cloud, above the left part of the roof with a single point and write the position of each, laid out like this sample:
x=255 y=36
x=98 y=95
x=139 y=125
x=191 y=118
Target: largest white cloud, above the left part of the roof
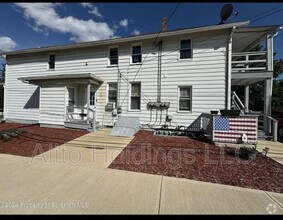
x=45 y=17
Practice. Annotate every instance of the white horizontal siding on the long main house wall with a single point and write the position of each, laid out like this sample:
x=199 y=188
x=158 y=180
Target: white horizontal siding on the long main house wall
x=205 y=73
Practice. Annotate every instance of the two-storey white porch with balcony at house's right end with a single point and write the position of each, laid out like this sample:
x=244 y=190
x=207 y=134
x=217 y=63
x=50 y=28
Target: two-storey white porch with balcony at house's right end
x=250 y=64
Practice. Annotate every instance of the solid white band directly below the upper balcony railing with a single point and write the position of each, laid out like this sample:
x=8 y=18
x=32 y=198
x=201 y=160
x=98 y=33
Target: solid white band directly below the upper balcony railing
x=250 y=78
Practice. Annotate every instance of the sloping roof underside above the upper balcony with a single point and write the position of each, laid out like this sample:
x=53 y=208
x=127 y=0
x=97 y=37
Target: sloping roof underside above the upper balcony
x=246 y=38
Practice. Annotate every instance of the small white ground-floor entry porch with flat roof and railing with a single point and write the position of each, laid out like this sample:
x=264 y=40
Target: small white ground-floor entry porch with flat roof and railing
x=68 y=100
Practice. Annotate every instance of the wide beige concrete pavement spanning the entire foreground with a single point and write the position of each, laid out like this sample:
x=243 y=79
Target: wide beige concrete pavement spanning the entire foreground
x=37 y=186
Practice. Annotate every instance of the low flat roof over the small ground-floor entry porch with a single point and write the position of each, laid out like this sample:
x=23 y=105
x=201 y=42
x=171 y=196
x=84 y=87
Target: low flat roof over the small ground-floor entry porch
x=78 y=78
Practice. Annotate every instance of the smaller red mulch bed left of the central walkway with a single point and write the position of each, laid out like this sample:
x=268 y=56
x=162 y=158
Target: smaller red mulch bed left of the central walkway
x=35 y=139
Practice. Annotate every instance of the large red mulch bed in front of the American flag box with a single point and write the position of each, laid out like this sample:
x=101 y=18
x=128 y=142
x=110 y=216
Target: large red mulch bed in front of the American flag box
x=191 y=159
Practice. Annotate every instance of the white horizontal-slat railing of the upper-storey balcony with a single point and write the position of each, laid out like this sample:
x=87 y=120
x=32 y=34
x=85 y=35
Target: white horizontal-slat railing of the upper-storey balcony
x=249 y=61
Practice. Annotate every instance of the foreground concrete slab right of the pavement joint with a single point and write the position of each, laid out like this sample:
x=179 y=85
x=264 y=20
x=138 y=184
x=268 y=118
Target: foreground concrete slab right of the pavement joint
x=182 y=196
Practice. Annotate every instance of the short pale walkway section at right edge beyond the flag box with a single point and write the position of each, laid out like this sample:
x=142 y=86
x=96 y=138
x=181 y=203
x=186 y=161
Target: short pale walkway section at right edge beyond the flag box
x=275 y=152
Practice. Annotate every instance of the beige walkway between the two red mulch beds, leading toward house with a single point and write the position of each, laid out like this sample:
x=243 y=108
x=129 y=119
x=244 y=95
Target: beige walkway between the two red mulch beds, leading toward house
x=97 y=149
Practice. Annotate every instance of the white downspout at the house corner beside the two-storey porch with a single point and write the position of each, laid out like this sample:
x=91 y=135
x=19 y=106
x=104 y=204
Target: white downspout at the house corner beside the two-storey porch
x=229 y=69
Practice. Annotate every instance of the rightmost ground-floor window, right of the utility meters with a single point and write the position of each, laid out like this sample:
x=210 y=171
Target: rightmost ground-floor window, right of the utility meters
x=185 y=98
